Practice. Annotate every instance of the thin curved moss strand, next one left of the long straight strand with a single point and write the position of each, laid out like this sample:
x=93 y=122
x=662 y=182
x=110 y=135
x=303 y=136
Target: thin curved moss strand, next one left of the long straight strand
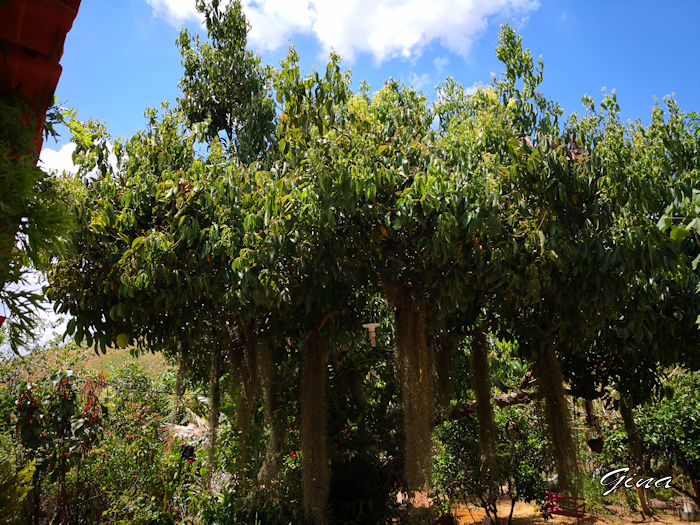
x=266 y=372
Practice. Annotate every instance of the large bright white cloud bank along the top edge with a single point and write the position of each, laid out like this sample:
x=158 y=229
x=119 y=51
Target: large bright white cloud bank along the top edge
x=382 y=28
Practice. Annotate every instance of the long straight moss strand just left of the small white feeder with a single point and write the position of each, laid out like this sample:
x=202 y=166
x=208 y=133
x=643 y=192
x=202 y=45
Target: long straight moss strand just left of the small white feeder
x=314 y=465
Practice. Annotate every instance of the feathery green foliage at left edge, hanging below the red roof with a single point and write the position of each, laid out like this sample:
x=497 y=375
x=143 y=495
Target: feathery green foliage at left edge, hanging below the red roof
x=33 y=214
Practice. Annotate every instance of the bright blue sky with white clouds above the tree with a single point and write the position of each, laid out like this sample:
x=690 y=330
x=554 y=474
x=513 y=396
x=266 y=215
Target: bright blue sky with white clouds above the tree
x=121 y=57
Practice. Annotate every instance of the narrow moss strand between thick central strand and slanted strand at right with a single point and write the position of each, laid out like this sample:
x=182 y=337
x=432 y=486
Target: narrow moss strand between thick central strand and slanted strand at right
x=488 y=434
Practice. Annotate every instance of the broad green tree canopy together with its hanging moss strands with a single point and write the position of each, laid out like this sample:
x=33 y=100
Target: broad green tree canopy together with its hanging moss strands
x=479 y=214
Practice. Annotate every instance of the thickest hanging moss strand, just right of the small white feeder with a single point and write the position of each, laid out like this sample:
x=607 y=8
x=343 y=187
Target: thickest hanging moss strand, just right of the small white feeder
x=414 y=361
